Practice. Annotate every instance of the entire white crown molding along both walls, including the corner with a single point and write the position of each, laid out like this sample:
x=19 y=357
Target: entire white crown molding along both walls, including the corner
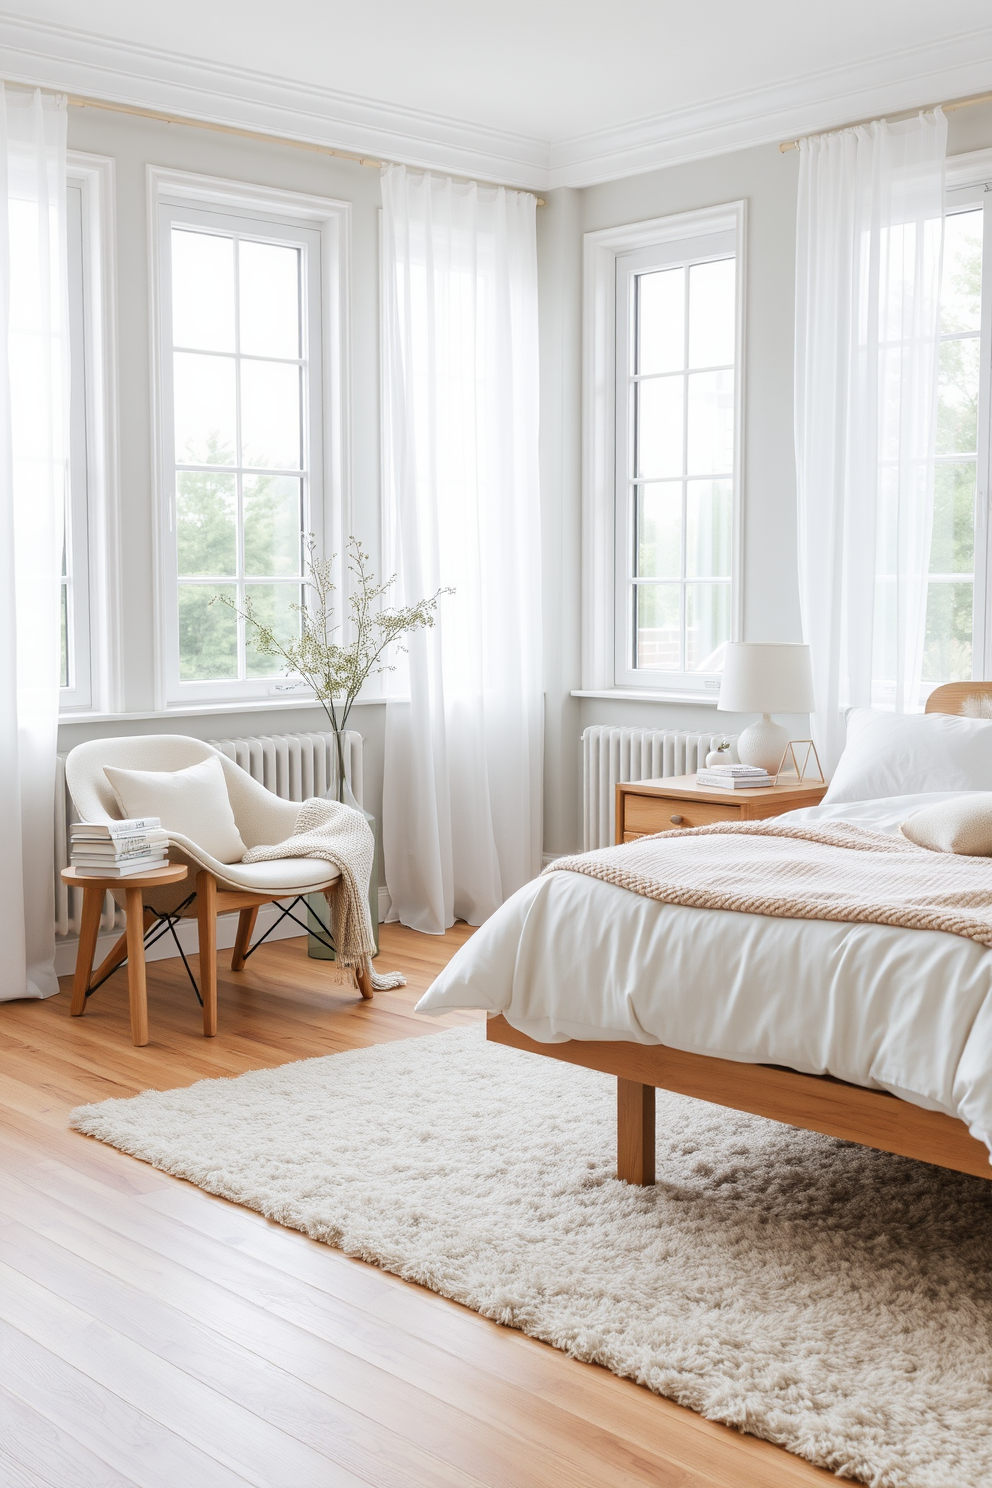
x=48 y=56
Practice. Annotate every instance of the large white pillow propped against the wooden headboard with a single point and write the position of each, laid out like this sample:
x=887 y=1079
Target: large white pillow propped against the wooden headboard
x=902 y=754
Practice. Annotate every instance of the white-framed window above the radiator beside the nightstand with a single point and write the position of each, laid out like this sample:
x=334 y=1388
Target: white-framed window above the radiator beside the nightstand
x=664 y=307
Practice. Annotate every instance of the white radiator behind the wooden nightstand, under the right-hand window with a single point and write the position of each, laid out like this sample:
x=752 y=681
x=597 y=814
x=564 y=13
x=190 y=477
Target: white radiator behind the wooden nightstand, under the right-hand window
x=613 y=755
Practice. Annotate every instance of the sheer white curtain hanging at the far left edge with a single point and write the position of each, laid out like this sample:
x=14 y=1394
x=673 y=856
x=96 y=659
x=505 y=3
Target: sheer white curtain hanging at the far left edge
x=33 y=465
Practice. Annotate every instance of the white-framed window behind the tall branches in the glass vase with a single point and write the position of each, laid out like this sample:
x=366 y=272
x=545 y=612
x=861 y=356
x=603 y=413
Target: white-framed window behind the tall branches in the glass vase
x=243 y=350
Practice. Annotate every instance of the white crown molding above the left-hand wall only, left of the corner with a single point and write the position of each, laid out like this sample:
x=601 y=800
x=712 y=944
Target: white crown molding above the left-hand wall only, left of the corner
x=41 y=54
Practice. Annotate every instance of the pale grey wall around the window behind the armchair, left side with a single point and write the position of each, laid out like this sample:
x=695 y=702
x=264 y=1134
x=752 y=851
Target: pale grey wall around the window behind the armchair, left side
x=135 y=144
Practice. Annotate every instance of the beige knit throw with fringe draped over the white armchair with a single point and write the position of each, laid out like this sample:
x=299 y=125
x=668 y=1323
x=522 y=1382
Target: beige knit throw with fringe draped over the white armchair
x=340 y=836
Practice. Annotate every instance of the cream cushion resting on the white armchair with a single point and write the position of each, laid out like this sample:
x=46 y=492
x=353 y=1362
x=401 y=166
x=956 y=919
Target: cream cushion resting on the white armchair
x=193 y=803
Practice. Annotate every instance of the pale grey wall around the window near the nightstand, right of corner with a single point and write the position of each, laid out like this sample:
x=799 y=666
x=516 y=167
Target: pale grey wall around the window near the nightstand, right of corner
x=768 y=179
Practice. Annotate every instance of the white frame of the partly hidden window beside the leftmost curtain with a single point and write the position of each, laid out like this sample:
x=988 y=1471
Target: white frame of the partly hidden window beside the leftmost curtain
x=93 y=505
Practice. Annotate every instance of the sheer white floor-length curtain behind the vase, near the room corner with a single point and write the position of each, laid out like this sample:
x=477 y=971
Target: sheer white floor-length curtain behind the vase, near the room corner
x=462 y=800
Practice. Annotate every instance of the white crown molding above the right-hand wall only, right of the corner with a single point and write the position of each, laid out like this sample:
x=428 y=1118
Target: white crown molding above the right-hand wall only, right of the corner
x=909 y=78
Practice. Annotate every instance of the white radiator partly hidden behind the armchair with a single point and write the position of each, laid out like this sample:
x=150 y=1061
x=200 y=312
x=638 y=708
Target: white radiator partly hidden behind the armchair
x=292 y=766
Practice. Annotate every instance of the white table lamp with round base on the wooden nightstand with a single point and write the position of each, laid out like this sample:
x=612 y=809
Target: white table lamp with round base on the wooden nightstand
x=767 y=679
